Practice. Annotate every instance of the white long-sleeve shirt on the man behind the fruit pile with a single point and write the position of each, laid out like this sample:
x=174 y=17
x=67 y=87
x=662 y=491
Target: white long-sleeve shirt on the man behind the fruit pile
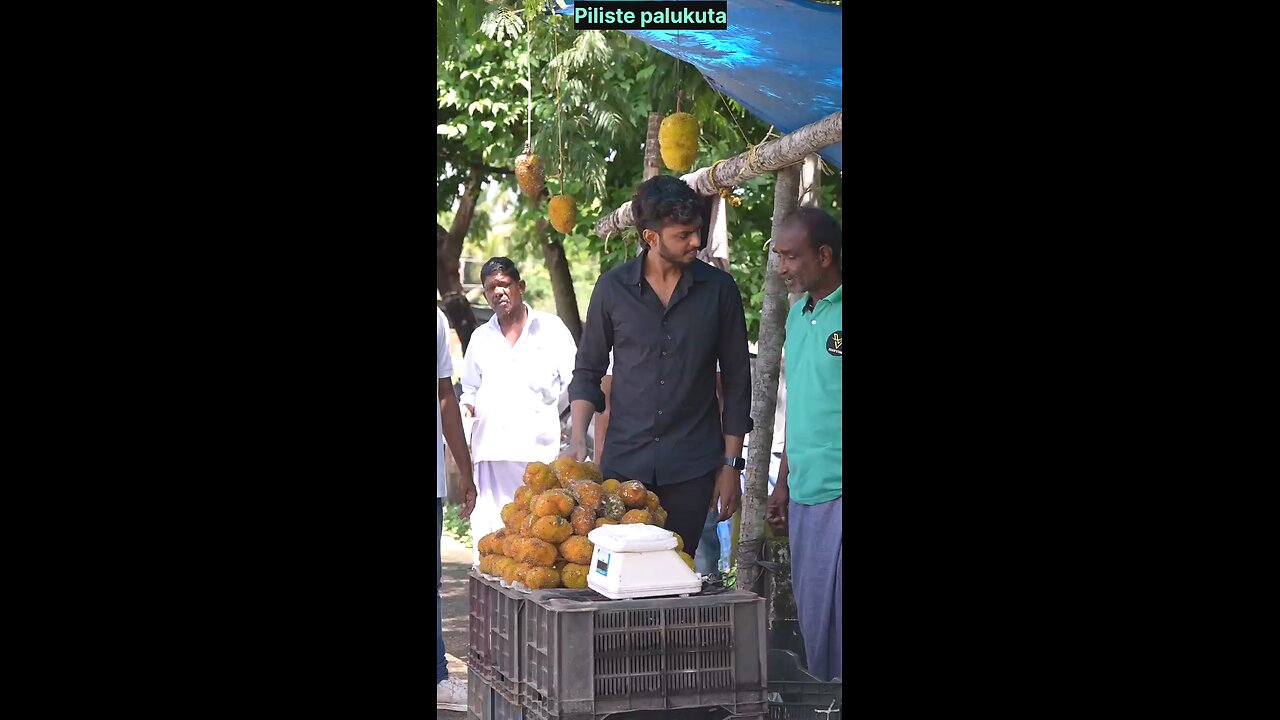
x=515 y=389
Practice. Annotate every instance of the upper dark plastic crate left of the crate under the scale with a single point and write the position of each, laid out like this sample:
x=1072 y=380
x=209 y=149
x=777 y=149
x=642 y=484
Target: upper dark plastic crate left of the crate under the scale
x=495 y=634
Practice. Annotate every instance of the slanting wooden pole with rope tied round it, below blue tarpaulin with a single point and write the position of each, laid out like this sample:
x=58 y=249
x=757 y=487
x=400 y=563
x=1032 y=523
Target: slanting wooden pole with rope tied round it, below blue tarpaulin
x=771 y=156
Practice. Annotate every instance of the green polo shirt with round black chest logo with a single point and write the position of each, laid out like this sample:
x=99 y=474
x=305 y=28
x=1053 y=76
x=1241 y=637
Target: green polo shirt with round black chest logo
x=815 y=348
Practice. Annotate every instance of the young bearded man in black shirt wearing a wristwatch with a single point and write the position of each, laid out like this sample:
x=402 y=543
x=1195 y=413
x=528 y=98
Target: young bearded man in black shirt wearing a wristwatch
x=669 y=318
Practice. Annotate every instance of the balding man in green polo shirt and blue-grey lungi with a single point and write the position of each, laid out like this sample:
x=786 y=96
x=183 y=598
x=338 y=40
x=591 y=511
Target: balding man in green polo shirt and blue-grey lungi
x=807 y=503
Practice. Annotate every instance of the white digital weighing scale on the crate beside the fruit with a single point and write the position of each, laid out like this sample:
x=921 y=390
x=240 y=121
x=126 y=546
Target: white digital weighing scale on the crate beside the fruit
x=638 y=562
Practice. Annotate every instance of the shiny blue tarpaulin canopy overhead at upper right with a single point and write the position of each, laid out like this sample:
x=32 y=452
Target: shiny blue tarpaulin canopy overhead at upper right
x=780 y=60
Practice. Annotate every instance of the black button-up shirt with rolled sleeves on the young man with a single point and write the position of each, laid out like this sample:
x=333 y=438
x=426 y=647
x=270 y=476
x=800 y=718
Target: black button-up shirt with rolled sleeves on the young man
x=666 y=425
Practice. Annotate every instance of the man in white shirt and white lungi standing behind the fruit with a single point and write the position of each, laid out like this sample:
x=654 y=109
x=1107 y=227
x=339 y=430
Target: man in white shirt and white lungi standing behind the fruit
x=515 y=370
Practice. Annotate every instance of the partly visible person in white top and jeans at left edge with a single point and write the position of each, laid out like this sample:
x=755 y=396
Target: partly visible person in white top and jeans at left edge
x=450 y=695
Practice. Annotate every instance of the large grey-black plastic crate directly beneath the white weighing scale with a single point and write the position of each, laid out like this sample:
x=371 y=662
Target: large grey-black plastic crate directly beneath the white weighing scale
x=586 y=659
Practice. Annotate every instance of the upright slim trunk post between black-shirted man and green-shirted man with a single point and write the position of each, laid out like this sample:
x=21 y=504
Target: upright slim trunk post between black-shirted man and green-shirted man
x=765 y=394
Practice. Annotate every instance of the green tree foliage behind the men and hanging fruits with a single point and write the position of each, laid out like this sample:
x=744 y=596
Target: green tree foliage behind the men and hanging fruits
x=592 y=95
